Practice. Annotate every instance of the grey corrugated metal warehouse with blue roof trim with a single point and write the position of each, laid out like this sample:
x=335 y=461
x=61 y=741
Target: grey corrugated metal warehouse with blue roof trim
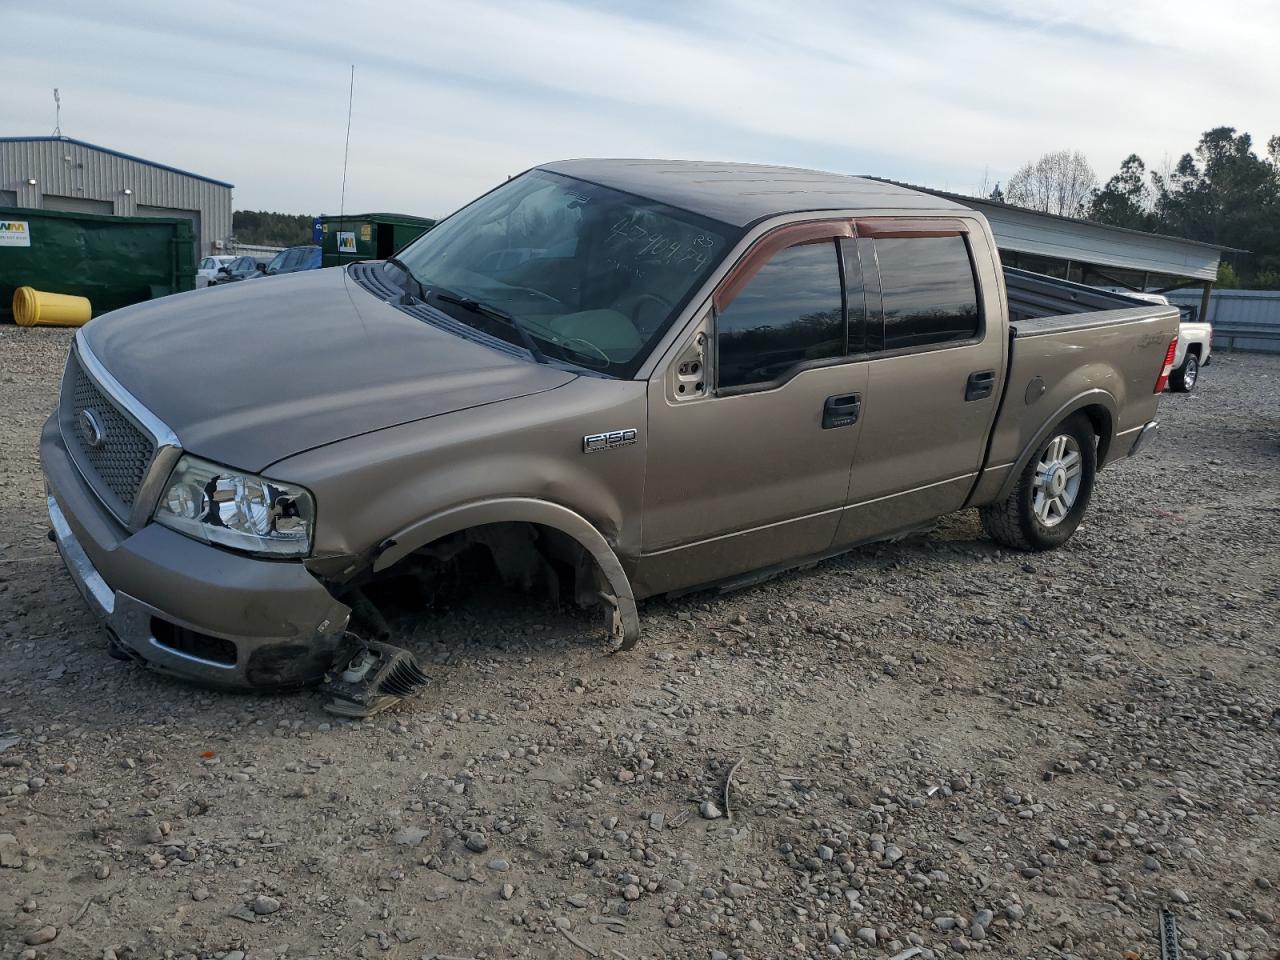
x=60 y=173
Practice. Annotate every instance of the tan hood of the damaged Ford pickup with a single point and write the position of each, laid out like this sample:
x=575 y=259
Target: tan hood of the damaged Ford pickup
x=248 y=374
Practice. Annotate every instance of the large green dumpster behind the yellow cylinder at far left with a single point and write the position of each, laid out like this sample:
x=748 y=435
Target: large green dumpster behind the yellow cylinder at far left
x=112 y=260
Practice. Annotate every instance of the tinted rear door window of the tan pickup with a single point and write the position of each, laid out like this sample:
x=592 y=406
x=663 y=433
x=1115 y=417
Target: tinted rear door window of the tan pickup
x=929 y=290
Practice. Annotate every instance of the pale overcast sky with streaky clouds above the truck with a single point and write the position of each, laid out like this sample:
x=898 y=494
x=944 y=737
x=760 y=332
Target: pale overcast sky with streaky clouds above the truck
x=452 y=98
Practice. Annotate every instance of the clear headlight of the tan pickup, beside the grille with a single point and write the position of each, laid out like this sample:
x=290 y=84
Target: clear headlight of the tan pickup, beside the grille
x=232 y=509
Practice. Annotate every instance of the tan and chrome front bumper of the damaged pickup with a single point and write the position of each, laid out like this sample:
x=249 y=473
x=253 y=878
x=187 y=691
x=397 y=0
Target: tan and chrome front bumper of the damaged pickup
x=188 y=609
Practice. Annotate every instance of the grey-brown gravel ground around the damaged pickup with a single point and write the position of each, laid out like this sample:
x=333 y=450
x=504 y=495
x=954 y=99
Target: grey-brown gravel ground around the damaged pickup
x=935 y=744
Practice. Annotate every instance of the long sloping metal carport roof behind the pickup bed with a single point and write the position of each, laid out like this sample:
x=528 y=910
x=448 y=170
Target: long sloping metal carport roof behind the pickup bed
x=1086 y=243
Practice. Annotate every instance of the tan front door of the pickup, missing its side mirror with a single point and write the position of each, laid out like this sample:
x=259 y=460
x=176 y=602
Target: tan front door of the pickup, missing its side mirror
x=752 y=470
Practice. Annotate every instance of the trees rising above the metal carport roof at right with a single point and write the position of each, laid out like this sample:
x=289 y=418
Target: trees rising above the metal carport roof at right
x=1220 y=193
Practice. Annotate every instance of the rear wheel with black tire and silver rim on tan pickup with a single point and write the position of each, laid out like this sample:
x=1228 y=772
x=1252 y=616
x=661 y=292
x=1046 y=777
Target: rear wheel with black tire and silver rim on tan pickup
x=1016 y=522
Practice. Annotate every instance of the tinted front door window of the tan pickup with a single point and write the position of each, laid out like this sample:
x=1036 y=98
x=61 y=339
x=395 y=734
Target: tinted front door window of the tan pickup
x=790 y=313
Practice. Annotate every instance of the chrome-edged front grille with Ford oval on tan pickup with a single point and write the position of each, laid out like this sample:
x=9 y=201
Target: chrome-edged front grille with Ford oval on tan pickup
x=111 y=438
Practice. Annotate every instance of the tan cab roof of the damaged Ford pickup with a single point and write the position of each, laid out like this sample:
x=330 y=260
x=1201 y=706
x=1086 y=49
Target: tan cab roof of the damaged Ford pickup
x=743 y=195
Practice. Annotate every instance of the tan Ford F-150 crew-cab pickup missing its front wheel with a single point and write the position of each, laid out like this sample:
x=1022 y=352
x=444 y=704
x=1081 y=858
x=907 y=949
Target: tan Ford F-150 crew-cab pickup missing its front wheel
x=606 y=380
